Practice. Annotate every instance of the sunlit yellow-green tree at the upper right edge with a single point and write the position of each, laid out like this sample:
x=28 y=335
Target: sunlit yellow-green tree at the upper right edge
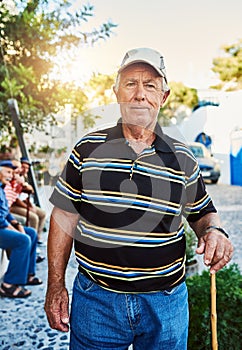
x=229 y=67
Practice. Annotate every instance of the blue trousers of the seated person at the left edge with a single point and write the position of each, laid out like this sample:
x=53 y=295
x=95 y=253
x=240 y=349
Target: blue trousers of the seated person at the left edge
x=22 y=261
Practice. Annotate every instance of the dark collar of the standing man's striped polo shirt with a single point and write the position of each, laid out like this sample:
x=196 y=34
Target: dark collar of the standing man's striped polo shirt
x=162 y=143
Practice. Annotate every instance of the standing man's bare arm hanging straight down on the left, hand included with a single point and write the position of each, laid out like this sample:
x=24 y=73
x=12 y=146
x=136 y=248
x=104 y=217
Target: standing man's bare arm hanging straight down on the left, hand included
x=60 y=240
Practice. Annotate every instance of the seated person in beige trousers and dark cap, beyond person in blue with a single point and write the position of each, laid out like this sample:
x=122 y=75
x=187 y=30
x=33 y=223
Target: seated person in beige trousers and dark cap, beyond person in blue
x=22 y=207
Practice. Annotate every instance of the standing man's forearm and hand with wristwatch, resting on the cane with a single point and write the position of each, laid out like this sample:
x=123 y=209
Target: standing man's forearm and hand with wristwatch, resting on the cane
x=215 y=246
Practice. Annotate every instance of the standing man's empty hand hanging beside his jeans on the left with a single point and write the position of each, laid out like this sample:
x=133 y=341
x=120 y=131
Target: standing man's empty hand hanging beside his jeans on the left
x=57 y=308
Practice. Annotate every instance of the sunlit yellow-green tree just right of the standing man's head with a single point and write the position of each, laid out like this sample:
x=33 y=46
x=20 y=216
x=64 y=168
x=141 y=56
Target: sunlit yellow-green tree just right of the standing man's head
x=179 y=103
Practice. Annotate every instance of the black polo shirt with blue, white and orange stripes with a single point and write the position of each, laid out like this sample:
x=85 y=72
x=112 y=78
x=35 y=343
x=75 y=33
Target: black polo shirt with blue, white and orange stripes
x=130 y=235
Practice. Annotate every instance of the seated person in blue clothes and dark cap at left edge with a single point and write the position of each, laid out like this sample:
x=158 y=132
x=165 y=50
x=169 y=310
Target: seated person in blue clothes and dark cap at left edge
x=20 y=241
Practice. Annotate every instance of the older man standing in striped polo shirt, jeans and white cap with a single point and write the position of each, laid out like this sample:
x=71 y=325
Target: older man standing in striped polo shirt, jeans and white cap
x=121 y=198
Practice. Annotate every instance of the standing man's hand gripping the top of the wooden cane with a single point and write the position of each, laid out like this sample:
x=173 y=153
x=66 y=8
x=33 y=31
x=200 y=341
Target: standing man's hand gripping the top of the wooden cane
x=217 y=250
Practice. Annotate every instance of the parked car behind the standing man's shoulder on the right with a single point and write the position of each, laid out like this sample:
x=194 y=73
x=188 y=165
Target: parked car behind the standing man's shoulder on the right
x=210 y=166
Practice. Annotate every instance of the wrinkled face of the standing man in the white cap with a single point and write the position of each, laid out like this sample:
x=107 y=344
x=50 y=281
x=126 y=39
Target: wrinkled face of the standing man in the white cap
x=140 y=95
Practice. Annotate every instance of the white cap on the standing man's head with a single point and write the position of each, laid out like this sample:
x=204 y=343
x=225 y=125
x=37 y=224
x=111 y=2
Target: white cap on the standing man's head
x=145 y=55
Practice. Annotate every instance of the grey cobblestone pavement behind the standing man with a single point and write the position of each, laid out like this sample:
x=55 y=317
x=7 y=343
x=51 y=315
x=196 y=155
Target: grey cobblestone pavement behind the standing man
x=23 y=322
